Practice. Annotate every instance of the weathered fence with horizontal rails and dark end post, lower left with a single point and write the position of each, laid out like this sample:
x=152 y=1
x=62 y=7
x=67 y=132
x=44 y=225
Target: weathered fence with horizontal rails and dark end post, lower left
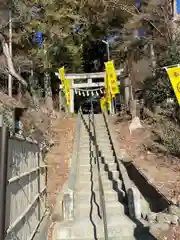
x=23 y=187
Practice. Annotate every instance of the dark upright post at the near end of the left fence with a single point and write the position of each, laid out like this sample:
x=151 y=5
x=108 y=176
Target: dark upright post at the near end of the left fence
x=4 y=136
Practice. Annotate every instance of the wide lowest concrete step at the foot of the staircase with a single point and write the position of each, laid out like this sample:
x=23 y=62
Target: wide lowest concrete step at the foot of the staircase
x=118 y=226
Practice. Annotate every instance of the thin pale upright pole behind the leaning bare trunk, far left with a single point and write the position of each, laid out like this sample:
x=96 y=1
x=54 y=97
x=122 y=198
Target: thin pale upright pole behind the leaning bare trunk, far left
x=10 y=51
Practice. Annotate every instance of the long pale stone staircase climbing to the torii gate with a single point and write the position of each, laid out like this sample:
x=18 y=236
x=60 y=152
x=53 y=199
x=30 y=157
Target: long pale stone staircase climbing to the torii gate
x=88 y=220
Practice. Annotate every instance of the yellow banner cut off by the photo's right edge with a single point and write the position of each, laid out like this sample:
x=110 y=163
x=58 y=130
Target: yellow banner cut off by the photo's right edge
x=174 y=76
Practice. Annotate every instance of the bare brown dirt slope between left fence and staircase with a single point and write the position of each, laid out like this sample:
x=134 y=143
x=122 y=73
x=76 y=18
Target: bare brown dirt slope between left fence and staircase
x=62 y=133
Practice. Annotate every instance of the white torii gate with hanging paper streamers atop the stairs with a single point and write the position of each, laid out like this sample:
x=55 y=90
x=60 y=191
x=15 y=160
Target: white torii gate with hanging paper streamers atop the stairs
x=84 y=80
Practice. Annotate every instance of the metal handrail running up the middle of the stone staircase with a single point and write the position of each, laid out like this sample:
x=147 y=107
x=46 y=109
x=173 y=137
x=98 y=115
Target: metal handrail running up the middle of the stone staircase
x=101 y=189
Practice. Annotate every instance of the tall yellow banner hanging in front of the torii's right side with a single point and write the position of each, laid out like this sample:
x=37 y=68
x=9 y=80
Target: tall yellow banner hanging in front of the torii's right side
x=112 y=79
